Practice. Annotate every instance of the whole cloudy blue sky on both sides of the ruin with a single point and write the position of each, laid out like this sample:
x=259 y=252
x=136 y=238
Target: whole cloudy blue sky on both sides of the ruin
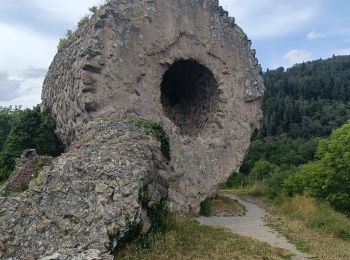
x=283 y=32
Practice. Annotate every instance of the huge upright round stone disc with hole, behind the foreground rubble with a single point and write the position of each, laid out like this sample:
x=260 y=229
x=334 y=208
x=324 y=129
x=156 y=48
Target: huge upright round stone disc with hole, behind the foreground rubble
x=184 y=63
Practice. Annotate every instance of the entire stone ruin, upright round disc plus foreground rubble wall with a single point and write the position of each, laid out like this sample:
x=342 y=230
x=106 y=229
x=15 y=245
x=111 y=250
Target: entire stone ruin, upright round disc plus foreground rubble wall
x=182 y=63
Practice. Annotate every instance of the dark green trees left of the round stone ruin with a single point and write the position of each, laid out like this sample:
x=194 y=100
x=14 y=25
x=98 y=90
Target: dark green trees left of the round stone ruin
x=29 y=129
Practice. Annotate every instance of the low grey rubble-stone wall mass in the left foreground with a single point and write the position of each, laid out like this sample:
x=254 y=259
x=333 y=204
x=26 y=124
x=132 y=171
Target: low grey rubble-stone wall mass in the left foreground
x=86 y=197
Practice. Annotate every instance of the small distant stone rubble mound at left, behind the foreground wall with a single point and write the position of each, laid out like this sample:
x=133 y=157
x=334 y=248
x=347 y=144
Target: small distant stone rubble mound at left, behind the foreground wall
x=27 y=167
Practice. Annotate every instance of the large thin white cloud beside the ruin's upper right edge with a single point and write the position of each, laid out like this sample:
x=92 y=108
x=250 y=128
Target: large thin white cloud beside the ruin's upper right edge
x=270 y=18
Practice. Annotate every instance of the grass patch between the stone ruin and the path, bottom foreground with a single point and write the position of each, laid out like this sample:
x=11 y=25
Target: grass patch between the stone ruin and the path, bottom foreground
x=189 y=240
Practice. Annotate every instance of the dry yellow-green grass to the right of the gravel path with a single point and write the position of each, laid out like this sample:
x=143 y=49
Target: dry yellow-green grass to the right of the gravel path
x=312 y=226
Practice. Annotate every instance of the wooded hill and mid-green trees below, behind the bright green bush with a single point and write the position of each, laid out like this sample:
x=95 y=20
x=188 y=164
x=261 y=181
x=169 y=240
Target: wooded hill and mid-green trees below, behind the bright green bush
x=301 y=104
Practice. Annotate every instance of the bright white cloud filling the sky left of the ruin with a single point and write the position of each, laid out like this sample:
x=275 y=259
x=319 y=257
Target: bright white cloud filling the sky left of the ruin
x=23 y=47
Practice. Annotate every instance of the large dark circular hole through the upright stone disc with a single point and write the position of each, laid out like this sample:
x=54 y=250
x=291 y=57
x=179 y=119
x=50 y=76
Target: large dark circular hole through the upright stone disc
x=189 y=95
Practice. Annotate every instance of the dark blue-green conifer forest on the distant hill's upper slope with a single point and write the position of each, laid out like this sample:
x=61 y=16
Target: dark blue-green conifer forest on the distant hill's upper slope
x=308 y=100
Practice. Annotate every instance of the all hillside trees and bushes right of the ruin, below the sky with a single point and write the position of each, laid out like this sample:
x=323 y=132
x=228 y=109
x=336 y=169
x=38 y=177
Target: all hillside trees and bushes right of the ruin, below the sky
x=295 y=151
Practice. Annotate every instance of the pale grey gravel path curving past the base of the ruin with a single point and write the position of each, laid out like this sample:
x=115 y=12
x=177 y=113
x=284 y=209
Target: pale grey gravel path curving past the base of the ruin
x=253 y=225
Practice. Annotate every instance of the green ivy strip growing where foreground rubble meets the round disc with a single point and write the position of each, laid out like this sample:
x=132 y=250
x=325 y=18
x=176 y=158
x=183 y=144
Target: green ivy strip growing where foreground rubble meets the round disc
x=157 y=131
